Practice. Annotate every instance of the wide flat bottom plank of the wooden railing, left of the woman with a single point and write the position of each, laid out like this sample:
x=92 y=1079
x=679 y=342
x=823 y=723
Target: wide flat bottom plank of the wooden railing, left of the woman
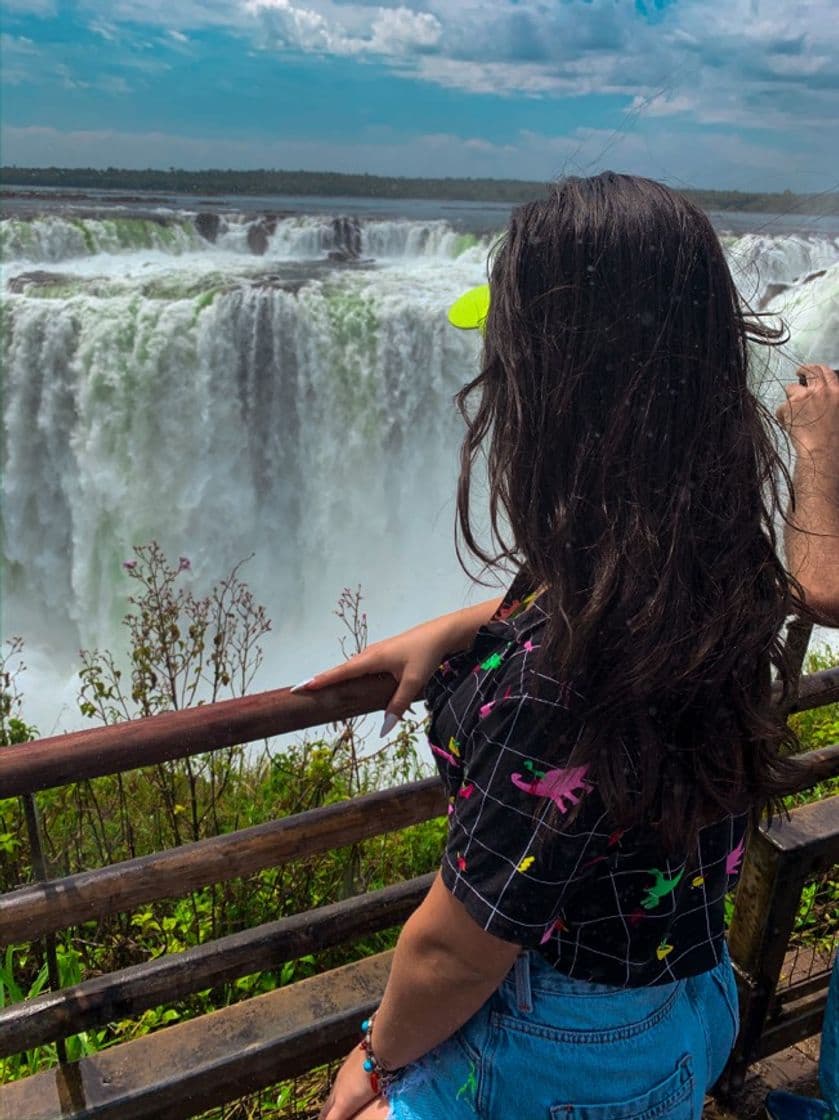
x=215 y=1059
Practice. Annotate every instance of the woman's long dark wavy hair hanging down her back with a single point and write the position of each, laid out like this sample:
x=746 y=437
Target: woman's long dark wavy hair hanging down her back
x=639 y=482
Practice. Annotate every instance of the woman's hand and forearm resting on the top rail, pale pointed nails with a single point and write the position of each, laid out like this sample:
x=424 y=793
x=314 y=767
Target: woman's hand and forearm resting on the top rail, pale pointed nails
x=411 y=657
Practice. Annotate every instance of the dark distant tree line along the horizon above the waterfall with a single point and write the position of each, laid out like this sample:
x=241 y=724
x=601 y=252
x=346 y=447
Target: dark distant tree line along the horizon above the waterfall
x=337 y=184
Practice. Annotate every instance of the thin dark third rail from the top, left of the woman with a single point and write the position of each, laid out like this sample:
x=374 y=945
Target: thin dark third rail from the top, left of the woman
x=129 y=992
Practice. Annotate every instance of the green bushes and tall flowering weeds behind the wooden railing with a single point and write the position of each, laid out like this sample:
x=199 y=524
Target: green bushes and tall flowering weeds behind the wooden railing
x=184 y=650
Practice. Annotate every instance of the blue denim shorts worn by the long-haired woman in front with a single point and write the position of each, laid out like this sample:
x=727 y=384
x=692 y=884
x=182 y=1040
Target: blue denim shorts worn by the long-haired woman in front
x=549 y=1048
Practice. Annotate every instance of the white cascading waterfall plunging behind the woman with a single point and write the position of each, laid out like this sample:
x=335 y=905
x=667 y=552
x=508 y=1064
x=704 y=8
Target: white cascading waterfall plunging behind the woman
x=226 y=403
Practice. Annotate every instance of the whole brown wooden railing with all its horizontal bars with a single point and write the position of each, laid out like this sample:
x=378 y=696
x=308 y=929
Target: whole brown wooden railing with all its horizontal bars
x=191 y=1067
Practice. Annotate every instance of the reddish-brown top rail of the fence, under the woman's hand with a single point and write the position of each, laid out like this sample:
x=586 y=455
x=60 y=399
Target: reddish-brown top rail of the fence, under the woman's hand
x=44 y=763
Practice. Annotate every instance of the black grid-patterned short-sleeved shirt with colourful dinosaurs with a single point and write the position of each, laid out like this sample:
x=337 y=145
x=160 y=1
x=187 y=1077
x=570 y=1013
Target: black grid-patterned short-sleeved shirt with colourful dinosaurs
x=600 y=904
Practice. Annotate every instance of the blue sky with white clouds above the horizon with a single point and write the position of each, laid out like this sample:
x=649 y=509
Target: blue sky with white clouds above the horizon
x=742 y=95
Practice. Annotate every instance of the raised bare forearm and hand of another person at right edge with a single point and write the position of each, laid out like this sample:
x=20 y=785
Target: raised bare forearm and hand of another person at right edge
x=812 y=533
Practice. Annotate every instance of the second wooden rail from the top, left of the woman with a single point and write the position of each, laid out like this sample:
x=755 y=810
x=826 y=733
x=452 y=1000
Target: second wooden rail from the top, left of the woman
x=57 y=904
